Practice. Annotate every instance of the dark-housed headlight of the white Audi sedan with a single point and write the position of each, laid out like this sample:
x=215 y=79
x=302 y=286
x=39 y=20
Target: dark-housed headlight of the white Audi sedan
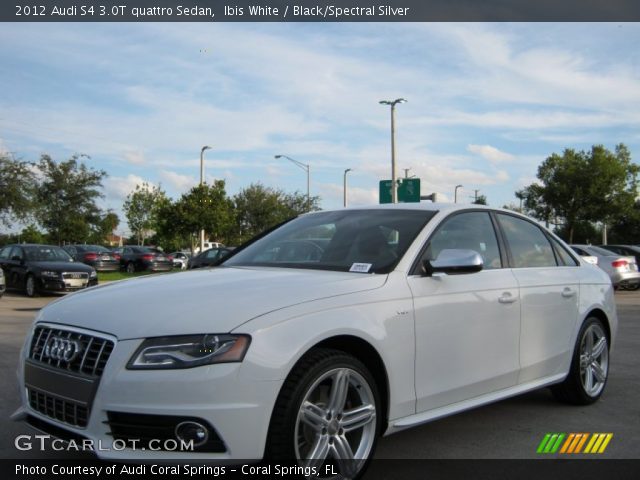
x=189 y=351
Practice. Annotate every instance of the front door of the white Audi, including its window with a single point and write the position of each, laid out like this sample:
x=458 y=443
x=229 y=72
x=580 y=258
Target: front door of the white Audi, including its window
x=468 y=325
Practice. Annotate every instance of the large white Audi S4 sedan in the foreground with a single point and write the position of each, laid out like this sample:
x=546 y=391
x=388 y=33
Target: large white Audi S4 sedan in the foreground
x=380 y=319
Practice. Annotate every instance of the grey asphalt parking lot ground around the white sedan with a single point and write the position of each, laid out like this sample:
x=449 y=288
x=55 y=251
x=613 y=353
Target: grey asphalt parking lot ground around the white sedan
x=510 y=429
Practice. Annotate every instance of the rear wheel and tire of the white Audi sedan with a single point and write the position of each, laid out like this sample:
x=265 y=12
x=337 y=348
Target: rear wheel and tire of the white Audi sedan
x=589 y=367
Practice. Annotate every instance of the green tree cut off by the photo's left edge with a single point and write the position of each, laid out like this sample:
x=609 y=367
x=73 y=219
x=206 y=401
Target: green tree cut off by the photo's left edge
x=17 y=184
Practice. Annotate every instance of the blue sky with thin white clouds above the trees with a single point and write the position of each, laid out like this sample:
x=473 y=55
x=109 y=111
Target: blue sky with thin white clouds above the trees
x=487 y=103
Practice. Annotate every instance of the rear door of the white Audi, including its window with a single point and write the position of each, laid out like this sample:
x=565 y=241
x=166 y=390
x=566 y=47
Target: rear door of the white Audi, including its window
x=548 y=278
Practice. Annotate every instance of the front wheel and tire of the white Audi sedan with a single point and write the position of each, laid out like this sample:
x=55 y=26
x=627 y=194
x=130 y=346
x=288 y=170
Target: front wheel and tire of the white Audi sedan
x=327 y=415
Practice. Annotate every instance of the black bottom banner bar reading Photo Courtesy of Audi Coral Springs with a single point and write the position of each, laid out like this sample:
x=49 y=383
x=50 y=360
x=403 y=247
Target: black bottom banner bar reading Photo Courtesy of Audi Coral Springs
x=584 y=469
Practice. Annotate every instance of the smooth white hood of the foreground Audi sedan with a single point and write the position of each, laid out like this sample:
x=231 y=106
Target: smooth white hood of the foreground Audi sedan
x=202 y=301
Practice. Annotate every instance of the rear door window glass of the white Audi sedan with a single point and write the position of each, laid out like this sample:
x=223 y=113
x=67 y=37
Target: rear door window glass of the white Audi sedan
x=529 y=246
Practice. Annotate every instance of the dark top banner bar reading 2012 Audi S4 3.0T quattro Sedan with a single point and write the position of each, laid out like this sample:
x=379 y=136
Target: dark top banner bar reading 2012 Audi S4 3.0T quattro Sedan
x=319 y=10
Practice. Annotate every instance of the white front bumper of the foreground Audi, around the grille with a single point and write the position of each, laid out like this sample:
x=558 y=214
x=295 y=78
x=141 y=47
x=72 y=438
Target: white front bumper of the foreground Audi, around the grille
x=239 y=409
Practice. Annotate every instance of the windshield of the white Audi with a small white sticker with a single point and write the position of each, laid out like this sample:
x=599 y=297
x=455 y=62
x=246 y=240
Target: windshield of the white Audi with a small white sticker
x=366 y=241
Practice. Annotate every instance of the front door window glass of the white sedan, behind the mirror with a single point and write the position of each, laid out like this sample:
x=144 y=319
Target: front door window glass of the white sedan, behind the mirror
x=467 y=231
